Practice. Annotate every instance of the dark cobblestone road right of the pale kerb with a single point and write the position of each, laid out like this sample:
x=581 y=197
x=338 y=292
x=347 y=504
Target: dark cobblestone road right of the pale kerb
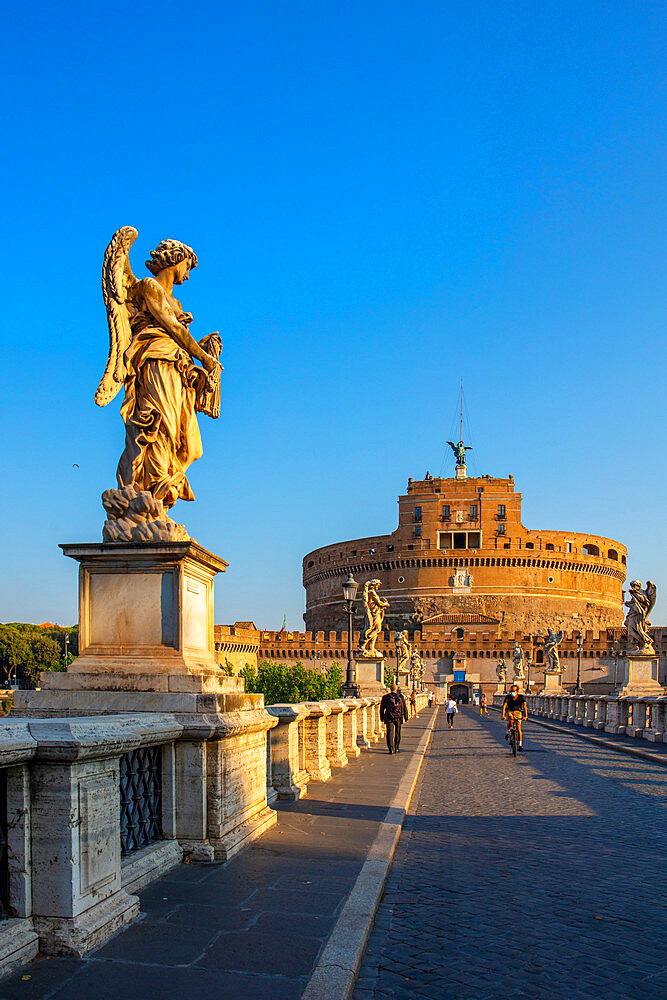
x=543 y=877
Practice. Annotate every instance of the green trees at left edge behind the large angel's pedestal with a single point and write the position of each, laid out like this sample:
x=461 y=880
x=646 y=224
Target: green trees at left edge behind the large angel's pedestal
x=26 y=650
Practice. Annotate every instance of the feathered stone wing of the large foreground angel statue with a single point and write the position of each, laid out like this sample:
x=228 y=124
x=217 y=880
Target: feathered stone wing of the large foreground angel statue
x=117 y=282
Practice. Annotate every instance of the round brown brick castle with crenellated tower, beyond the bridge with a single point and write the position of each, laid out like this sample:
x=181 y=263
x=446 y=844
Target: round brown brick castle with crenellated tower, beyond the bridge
x=460 y=548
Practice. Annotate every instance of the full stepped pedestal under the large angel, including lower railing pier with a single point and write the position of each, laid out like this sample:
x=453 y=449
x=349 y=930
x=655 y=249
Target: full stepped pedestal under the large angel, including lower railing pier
x=146 y=645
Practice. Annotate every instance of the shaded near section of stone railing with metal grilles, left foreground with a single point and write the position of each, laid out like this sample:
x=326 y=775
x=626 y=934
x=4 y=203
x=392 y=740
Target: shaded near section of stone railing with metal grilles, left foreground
x=90 y=815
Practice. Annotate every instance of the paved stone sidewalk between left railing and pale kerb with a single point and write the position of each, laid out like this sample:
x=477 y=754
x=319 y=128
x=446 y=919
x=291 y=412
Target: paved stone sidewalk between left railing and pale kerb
x=251 y=928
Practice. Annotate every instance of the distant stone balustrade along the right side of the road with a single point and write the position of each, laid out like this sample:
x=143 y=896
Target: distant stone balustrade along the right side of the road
x=640 y=717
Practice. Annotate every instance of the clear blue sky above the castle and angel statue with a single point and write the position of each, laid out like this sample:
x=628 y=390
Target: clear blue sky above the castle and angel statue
x=384 y=197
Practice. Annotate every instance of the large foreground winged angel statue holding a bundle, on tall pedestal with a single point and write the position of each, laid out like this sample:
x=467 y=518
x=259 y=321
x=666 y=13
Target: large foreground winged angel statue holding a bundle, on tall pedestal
x=152 y=355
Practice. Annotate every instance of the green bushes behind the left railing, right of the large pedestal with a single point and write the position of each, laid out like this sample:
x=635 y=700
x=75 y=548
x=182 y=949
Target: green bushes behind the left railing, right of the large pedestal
x=281 y=682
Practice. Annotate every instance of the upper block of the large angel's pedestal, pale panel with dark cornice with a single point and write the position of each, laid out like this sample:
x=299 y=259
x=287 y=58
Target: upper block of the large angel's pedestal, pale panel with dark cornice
x=145 y=618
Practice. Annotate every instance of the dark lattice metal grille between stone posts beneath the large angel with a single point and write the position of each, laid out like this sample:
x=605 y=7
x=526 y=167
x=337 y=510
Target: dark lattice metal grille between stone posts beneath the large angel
x=140 y=798
